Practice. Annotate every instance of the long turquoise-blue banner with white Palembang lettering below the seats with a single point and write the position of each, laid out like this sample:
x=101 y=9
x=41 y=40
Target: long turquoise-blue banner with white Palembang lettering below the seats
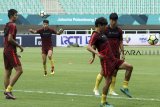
x=84 y=19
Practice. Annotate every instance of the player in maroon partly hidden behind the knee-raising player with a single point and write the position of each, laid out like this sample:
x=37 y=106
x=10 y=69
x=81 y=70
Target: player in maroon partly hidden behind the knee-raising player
x=114 y=35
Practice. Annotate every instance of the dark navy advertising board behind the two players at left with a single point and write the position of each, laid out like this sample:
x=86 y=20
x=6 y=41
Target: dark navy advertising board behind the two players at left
x=29 y=40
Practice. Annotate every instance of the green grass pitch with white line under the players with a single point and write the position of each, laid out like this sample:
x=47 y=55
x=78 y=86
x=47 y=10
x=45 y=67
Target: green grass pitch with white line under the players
x=73 y=82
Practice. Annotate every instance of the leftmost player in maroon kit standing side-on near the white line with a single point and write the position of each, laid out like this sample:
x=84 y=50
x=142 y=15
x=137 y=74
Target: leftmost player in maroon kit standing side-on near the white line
x=11 y=59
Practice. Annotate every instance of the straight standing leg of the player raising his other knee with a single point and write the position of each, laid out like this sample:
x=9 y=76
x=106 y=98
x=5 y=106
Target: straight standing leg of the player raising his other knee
x=104 y=102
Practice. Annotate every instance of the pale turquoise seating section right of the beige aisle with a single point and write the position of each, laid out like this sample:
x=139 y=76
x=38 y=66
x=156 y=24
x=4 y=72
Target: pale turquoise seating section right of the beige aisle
x=108 y=6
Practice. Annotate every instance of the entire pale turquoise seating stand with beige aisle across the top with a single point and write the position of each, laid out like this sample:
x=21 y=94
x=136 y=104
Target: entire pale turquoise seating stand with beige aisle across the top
x=83 y=6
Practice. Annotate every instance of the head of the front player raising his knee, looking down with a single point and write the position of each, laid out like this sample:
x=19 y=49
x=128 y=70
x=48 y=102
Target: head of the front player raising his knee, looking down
x=101 y=23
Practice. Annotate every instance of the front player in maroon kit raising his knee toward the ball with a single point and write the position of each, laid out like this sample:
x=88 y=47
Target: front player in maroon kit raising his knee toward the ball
x=108 y=61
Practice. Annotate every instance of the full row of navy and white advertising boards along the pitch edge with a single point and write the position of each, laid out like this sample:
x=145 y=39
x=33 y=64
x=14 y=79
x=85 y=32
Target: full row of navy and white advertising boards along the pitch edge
x=81 y=39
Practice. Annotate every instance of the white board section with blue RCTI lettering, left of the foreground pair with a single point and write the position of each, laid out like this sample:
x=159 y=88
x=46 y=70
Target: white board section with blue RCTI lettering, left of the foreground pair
x=65 y=40
